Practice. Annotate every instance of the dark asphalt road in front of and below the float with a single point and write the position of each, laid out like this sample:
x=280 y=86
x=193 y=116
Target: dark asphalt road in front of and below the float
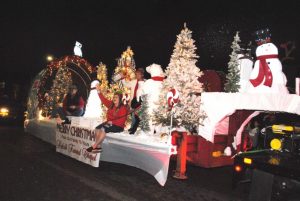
x=31 y=170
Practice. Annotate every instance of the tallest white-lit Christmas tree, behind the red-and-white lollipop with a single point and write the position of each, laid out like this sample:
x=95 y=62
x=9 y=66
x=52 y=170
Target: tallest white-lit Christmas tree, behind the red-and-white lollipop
x=182 y=74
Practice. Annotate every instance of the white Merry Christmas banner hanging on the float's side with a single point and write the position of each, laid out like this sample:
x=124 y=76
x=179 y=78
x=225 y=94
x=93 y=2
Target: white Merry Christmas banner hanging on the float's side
x=73 y=141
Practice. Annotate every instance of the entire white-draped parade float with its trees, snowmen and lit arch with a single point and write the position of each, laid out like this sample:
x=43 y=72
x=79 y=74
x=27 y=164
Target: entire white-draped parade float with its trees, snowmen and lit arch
x=183 y=113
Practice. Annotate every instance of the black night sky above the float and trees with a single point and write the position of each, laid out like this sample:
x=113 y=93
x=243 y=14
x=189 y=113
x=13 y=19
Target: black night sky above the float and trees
x=30 y=31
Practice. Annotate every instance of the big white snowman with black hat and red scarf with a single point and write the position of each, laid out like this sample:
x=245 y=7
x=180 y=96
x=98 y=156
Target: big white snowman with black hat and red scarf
x=267 y=75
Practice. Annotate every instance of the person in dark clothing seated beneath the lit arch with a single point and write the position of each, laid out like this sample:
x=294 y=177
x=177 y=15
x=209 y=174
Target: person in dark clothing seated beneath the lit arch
x=73 y=105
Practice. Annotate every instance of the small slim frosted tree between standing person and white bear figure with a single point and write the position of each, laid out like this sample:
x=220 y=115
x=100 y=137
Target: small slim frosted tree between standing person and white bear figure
x=143 y=114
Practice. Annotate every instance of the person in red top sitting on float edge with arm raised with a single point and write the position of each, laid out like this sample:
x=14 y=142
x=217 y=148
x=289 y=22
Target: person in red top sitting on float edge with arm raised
x=116 y=118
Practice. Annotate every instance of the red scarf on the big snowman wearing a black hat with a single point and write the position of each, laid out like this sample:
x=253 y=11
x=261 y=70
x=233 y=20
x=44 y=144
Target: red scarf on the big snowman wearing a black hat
x=264 y=71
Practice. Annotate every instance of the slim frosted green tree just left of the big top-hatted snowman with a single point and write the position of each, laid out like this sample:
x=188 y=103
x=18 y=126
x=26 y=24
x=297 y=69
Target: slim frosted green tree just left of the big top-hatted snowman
x=233 y=76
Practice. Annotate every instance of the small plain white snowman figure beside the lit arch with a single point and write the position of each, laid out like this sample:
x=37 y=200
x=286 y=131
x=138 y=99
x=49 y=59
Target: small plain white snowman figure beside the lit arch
x=93 y=106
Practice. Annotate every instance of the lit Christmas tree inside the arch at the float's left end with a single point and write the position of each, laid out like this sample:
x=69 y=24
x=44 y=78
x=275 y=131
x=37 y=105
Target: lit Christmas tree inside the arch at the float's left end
x=59 y=89
